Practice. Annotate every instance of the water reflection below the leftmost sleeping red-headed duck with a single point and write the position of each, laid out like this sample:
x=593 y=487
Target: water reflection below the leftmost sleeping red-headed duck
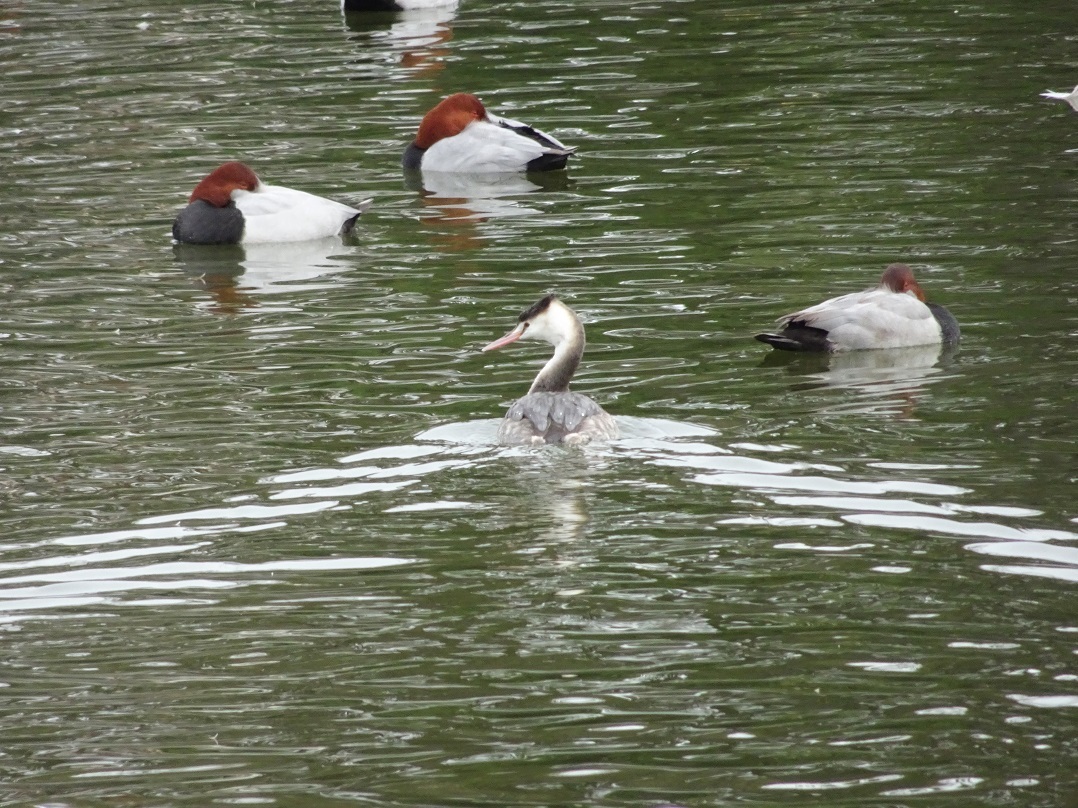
x=238 y=275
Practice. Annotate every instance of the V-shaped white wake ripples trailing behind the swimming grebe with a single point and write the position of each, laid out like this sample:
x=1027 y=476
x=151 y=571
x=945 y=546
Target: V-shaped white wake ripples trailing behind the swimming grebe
x=407 y=479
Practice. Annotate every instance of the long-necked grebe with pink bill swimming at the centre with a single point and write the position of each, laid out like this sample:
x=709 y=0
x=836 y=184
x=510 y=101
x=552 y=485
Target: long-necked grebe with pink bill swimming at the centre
x=551 y=413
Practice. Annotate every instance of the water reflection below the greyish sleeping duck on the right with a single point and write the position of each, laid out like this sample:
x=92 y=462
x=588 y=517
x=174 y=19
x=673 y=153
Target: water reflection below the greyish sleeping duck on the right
x=883 y=382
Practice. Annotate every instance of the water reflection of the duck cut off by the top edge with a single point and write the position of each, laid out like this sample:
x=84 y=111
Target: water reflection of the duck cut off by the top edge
x=417 y=38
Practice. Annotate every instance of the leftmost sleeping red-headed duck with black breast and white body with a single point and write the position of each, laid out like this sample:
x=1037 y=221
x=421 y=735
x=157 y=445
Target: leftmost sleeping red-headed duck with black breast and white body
x=232 y=206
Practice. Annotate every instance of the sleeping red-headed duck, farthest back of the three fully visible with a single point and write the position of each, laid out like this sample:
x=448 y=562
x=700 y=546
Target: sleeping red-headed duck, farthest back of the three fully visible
x=460 y=135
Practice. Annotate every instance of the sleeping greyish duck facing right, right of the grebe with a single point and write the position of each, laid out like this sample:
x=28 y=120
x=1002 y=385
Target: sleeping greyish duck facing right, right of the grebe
x=894 y=315
